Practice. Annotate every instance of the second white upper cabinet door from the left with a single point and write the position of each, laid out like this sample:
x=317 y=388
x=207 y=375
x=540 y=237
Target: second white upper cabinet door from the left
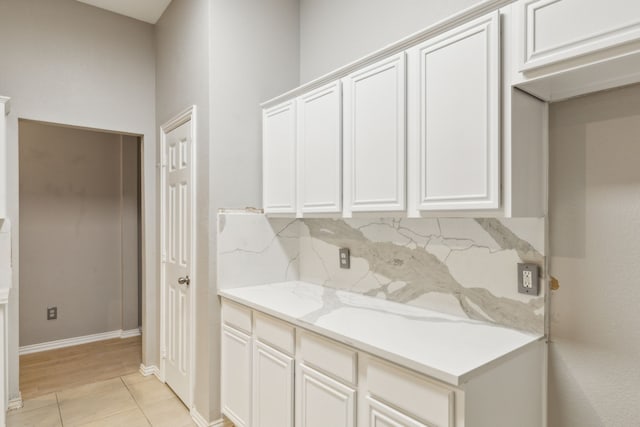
x=320 y=150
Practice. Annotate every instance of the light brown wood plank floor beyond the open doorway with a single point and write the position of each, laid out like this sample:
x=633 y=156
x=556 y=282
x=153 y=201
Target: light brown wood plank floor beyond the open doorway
x=65 y=368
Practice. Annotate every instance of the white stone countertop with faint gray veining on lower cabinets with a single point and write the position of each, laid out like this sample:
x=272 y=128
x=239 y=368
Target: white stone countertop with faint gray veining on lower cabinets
x=449 y=348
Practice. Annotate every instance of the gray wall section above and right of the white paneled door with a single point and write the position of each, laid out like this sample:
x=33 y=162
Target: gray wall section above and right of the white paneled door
x=182 y=80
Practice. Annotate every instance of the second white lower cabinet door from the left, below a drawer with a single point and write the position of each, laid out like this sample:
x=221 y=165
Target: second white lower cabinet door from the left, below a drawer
x=272 y=387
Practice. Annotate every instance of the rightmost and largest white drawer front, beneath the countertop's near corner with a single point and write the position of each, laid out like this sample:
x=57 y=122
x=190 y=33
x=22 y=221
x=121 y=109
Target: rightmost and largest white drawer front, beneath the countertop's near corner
x=409 y=393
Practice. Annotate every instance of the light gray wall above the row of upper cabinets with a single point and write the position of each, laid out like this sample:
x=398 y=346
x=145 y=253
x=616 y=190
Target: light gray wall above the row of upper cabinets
x=334 y=33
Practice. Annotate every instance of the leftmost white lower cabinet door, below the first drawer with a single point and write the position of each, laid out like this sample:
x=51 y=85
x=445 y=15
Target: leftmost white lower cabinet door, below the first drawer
x=236 y=376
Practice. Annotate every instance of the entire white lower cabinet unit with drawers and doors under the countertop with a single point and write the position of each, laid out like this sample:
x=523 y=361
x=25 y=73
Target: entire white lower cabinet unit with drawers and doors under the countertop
x=280 y=375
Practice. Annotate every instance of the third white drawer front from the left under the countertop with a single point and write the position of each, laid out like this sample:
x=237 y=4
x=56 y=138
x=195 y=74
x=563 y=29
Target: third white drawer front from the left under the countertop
x=330 y=357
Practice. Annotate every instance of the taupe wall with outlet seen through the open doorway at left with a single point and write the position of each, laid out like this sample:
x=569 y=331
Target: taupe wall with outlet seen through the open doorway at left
x=78 y=232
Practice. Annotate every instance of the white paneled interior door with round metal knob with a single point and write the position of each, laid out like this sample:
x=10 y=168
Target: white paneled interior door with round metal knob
x=178 y=259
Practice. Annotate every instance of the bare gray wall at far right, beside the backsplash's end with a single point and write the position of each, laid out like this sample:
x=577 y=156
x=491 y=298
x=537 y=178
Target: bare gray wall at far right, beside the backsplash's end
x=594 y=376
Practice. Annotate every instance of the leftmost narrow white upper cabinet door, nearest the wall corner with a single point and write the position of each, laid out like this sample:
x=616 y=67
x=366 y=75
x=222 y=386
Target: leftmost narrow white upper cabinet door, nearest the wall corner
x=279 y=158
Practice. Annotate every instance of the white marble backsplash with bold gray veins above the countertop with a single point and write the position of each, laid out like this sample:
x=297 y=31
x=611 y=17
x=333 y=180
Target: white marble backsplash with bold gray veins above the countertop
x=461 y=266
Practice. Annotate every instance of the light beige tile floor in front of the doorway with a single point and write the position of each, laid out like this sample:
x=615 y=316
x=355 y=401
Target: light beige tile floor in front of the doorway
x=132 y=400
